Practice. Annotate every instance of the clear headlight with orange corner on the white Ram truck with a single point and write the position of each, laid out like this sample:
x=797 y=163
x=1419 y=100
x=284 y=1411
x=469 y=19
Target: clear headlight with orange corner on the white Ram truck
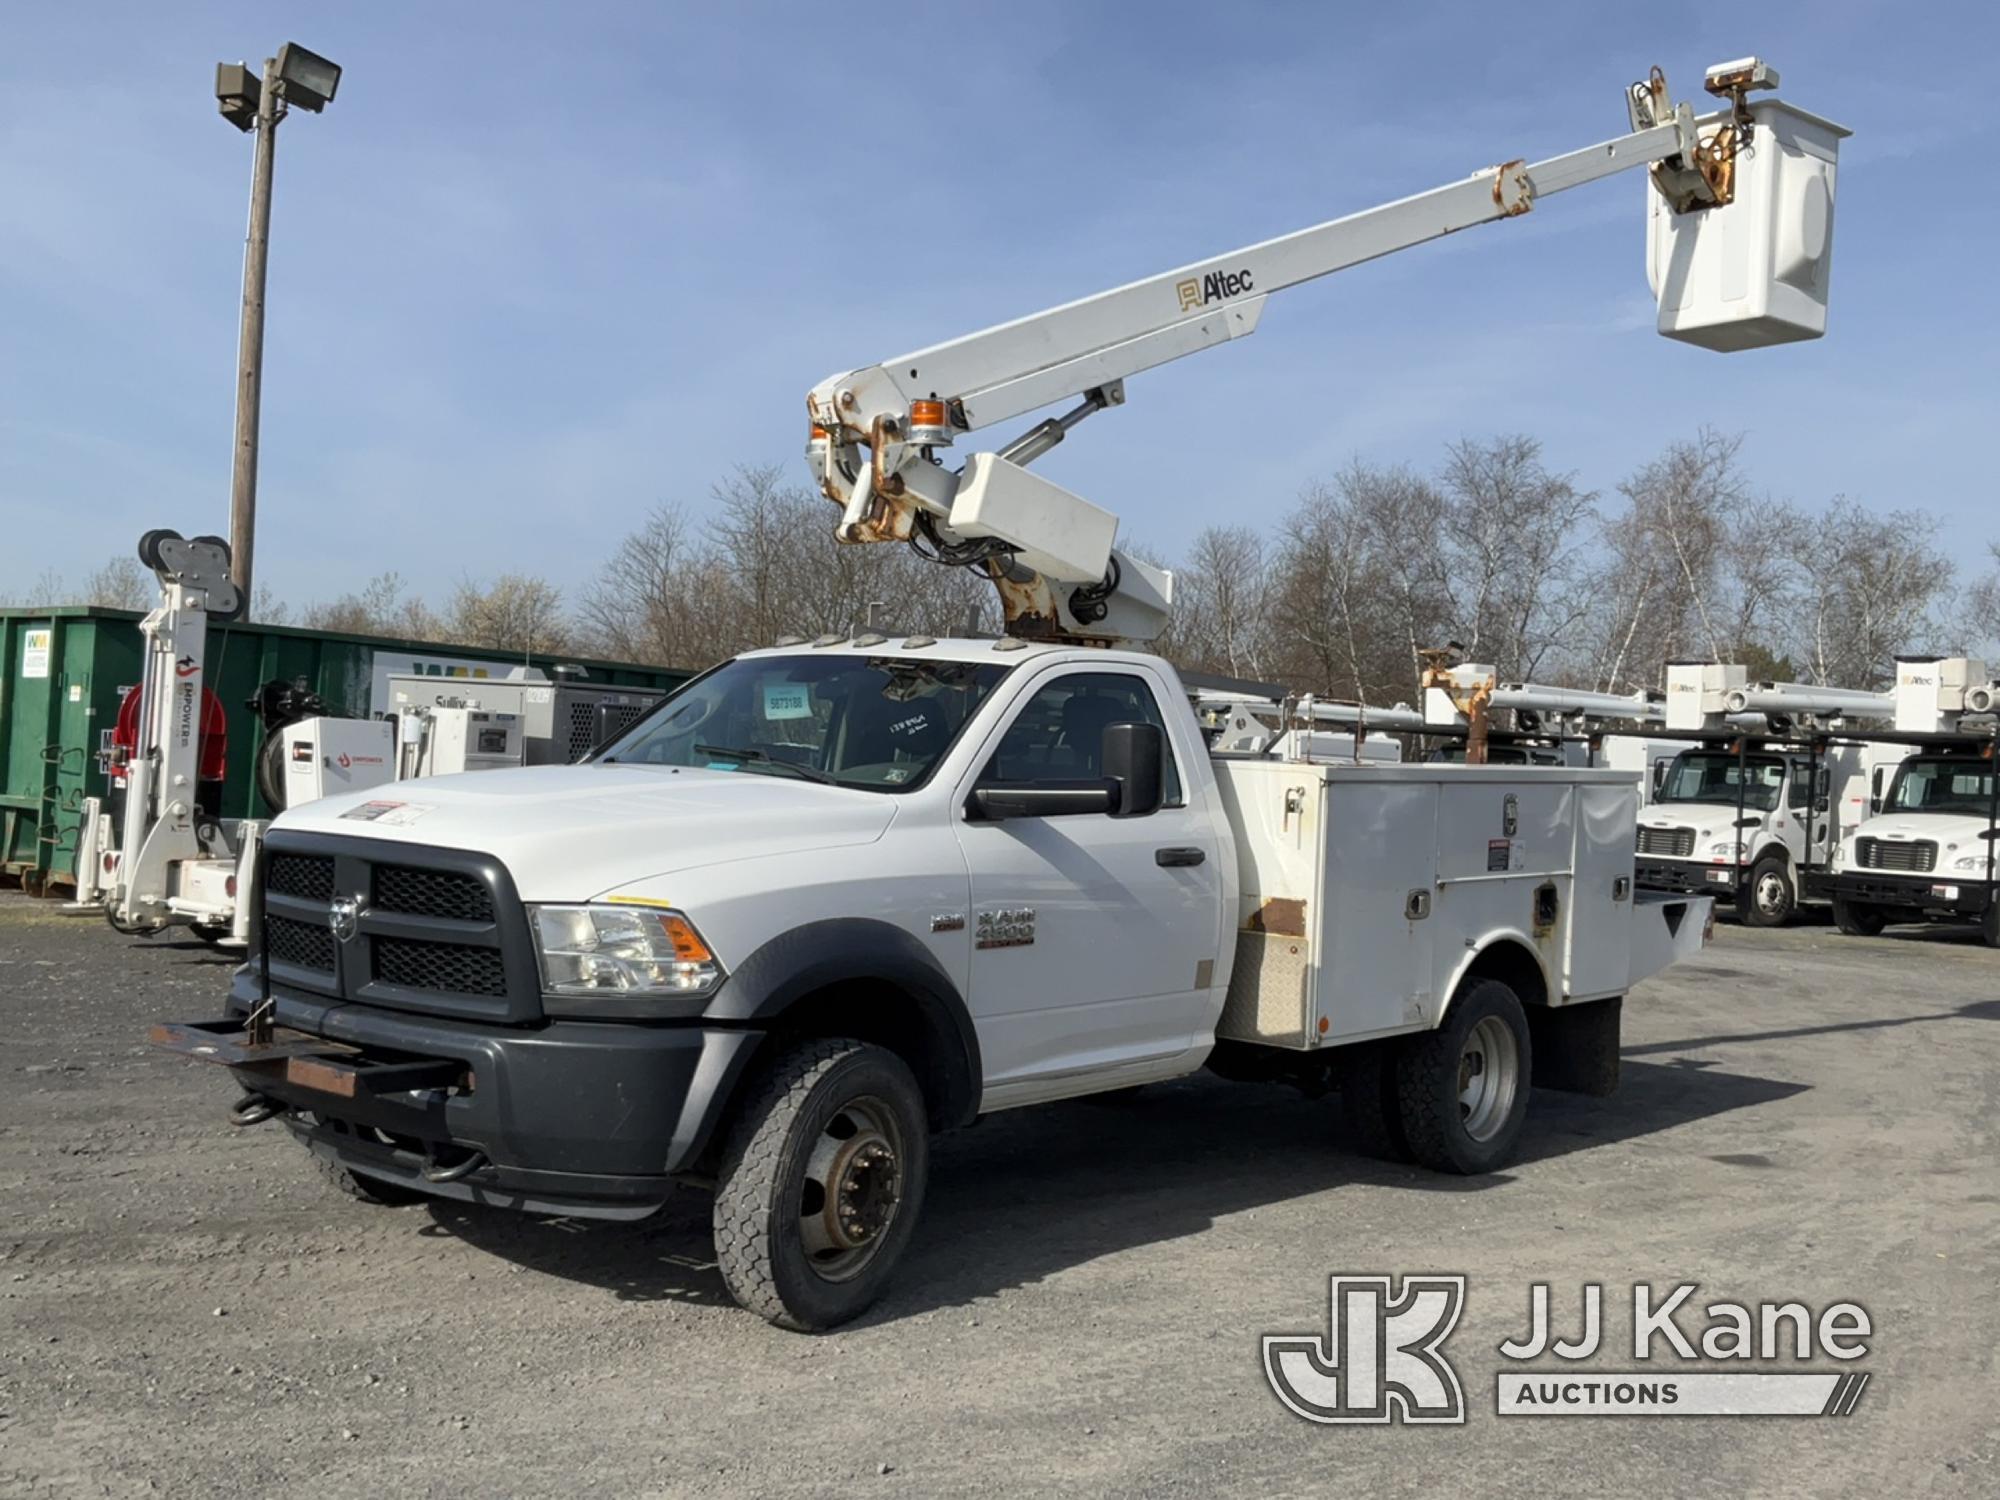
x=619 y=961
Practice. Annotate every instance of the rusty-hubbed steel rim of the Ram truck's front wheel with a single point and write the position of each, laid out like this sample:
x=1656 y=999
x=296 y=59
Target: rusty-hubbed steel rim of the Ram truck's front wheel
x=853 y=1189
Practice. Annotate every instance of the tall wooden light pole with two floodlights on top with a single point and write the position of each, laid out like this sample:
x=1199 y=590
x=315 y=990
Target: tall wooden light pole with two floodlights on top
x=253 y=103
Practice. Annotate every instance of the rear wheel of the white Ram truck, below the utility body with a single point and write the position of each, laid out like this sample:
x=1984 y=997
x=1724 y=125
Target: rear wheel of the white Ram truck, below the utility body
x=1463 y=1091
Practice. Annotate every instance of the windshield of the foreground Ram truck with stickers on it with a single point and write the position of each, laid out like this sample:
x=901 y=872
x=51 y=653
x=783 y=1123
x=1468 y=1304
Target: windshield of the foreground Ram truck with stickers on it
x=881 y=723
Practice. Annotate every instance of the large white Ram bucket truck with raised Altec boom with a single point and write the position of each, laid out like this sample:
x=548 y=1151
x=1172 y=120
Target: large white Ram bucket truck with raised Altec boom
x=835 y=897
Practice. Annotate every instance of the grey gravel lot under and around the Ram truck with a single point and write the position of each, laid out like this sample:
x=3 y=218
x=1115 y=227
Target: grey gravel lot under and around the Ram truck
x=187 y=1311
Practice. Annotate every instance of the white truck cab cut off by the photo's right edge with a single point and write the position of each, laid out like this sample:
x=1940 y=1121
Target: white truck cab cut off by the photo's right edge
x=1927 y=849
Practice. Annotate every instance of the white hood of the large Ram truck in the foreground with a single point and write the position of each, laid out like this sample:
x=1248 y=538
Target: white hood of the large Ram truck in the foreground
x=571 y=833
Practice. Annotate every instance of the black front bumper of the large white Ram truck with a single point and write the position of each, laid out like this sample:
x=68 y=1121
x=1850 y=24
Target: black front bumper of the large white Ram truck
x=585 y=1119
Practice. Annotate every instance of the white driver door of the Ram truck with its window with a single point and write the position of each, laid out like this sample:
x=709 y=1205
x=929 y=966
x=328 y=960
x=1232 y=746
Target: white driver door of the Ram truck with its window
x=1093 y=937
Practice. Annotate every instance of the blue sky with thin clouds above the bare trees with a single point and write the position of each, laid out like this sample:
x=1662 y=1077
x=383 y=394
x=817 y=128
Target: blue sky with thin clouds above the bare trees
x=545 y=267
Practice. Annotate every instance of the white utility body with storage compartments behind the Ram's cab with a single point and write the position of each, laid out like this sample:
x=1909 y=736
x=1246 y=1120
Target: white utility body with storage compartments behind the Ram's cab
x=1367 y=891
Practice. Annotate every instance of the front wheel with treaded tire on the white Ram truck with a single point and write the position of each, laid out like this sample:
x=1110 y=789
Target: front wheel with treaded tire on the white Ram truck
x=821 y=1185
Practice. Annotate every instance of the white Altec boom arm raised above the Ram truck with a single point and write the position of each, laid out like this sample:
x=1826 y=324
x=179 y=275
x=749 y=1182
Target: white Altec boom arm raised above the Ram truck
x=875 y=431
